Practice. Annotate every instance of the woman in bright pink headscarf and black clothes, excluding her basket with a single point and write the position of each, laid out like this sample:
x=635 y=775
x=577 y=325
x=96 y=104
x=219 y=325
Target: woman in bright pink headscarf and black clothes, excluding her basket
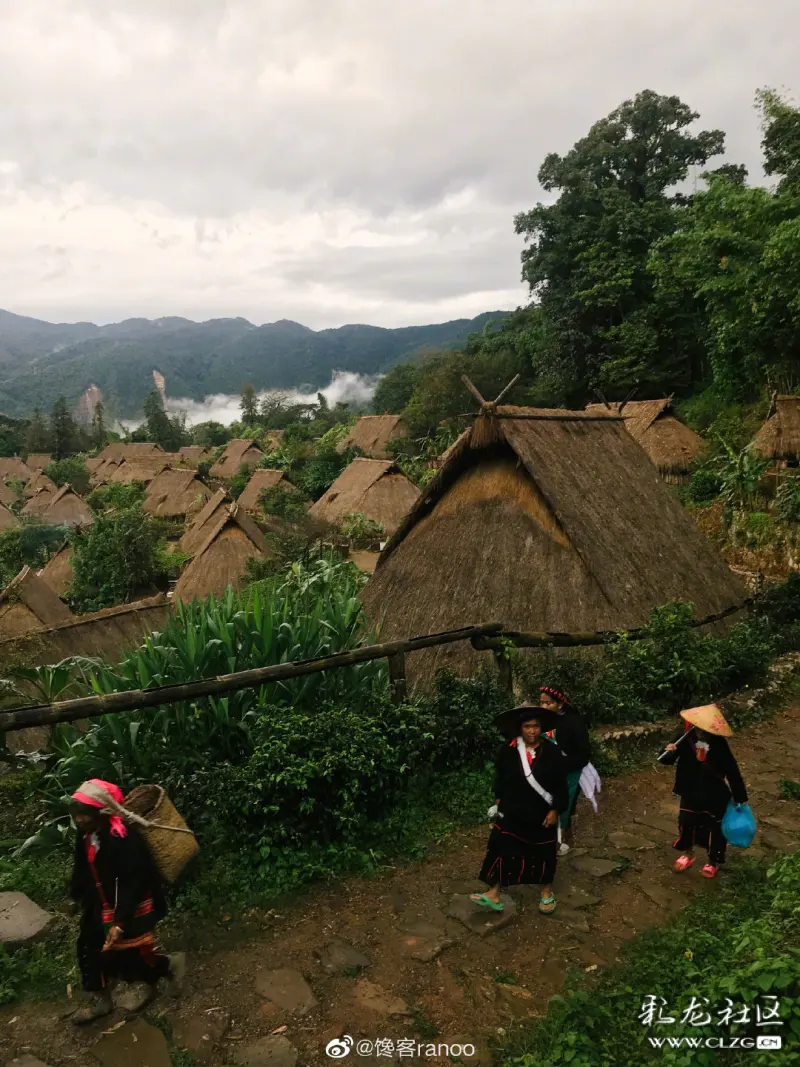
x=117 y=884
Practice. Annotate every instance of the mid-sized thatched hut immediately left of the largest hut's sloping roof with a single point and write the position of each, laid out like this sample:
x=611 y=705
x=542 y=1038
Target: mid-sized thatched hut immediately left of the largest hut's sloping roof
x=376 y=489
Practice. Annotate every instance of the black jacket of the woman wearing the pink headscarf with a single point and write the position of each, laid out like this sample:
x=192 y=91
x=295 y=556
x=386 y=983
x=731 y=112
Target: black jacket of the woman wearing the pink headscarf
x=129 y=875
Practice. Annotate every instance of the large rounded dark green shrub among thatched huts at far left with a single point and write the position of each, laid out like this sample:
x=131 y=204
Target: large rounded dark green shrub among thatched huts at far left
x=121 y=555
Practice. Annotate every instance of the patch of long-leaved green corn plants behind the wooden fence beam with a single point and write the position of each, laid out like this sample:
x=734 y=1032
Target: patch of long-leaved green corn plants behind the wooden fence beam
x=309 y=613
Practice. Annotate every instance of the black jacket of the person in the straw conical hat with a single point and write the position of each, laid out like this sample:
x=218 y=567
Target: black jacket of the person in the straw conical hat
x=707 y=786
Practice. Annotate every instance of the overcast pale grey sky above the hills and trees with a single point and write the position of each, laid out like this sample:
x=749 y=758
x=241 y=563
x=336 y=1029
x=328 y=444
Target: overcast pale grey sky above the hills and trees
x=329 y=162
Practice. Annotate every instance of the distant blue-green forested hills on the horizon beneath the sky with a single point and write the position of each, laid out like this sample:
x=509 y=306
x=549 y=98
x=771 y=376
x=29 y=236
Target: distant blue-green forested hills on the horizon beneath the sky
x=42 y=361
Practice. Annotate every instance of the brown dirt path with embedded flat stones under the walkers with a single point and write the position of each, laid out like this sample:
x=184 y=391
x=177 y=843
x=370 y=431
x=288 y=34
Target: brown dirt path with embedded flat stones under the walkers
x=476 y=985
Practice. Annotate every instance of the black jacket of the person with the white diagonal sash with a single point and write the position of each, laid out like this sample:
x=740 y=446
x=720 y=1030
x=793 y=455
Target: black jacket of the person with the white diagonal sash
x=518 y=800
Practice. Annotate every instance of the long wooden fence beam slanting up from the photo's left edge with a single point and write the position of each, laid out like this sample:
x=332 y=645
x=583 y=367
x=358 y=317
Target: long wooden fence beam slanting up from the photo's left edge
x=84 y=708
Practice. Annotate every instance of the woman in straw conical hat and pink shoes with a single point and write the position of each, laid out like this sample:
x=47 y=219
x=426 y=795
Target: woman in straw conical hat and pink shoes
x=707 y=778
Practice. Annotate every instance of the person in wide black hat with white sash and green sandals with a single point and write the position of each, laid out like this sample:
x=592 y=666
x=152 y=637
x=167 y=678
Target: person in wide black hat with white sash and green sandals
x=531 y=792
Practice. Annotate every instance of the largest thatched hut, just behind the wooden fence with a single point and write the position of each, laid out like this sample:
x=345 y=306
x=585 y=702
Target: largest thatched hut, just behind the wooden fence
x=546 y=521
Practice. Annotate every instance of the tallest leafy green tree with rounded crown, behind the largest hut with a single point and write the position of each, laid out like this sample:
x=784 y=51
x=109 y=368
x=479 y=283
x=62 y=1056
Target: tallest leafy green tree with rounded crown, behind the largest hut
x=587 y=253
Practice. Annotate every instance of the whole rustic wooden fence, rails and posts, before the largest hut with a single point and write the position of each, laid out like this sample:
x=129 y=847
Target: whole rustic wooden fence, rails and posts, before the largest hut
x=484 y=638
